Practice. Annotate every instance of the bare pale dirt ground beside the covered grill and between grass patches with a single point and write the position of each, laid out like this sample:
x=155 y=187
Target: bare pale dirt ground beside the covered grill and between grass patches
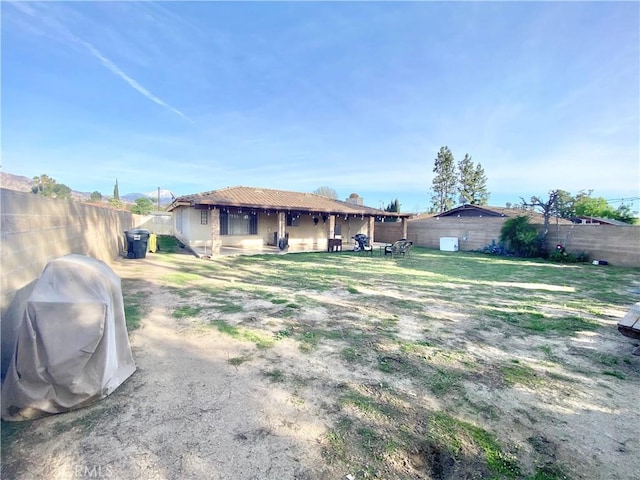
x=204 y=405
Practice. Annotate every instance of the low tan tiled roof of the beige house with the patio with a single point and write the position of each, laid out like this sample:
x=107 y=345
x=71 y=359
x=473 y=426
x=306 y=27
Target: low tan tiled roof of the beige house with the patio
x=269 y=199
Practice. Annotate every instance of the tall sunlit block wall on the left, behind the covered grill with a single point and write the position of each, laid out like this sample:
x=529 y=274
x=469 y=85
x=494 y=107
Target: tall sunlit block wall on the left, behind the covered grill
x=34 y=230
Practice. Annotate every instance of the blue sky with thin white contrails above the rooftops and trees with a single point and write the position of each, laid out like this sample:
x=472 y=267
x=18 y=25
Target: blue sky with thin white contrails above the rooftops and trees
x=196 y=96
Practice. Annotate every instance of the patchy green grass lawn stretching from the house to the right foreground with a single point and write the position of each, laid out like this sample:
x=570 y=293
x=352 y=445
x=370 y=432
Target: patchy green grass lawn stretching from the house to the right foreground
x=441 y=360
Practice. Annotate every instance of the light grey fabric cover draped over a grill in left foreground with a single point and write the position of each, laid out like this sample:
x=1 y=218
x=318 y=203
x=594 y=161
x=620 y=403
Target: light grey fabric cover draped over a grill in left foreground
x=72 y=347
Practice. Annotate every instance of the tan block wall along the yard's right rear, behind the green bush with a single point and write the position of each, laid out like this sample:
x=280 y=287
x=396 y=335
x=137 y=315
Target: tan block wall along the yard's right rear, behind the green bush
x=618 y=245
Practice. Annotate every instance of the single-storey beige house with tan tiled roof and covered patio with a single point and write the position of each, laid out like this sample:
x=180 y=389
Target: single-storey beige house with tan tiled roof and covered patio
x=251 y=218
